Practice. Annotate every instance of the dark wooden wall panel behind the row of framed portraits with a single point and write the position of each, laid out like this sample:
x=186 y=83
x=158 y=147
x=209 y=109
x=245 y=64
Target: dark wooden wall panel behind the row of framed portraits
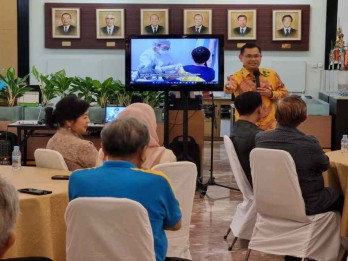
x=219 y=21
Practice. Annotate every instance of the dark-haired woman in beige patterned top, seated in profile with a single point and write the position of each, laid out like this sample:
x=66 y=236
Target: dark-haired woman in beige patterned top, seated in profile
x=71 y=114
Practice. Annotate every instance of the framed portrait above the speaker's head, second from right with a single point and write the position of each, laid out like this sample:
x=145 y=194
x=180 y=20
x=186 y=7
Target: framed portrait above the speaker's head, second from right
x=241 y=24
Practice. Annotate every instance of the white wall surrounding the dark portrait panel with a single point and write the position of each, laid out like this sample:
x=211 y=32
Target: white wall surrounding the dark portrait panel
x=296 y=68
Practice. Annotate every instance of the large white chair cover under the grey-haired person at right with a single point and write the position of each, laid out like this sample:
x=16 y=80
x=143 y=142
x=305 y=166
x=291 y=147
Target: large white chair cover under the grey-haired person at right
x=282 y=227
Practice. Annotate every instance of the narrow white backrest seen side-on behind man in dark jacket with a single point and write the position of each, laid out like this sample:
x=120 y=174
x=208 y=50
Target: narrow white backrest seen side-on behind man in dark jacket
x=237 y=170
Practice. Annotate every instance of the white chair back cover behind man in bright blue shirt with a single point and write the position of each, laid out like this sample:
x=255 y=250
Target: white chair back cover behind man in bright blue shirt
x=107 y=229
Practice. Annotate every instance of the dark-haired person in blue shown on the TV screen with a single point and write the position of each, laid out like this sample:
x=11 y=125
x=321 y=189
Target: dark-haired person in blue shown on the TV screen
x=199 y=71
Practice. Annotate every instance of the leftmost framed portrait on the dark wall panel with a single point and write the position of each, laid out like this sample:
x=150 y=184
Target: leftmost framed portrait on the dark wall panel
x=66 y=22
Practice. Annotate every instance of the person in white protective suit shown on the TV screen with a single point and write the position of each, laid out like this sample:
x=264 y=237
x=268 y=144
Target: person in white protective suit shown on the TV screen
x=155 y=60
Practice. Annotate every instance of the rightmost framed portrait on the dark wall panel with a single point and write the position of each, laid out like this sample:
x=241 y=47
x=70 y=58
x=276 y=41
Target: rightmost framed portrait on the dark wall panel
x=286 y=25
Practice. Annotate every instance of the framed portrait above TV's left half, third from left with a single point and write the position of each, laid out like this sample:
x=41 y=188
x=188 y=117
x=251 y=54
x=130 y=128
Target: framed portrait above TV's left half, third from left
x=154 y=21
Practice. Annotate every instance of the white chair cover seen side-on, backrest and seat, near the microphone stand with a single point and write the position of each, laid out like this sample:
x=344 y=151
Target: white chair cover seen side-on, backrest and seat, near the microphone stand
x=244 y=219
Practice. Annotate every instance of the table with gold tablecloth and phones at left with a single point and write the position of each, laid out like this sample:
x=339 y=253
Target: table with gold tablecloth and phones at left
x=40 y=229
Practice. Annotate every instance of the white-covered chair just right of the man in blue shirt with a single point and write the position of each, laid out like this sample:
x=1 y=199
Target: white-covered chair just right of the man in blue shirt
x=183 y=175
